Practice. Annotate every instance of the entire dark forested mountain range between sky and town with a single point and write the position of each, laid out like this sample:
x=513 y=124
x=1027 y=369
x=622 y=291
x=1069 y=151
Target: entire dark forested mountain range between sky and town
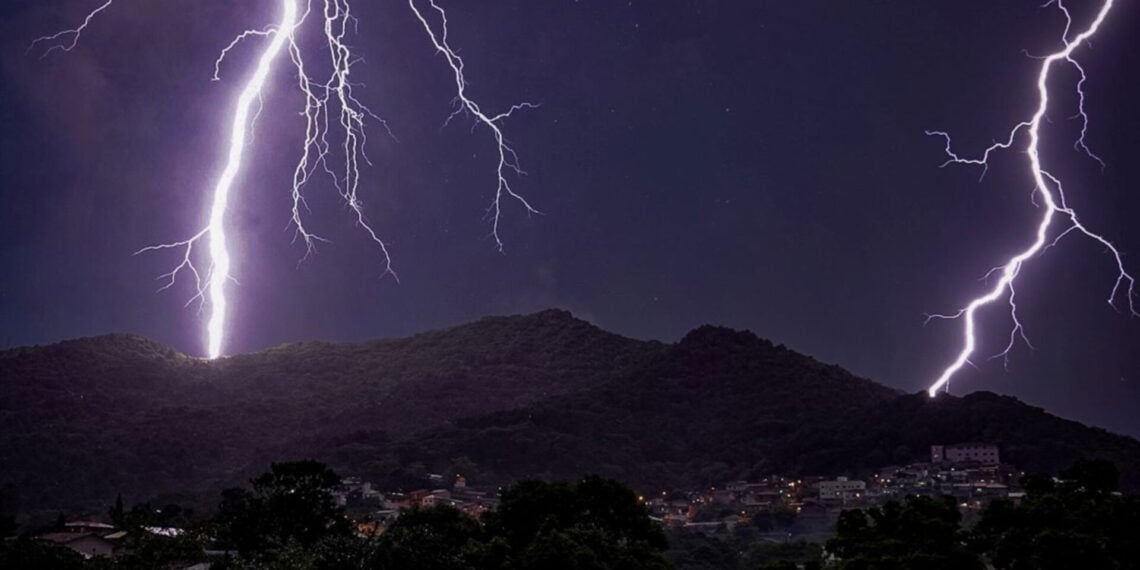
x=535 y=397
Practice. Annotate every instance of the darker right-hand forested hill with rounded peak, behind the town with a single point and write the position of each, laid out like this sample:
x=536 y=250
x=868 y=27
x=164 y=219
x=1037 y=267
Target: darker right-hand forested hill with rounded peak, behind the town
x=723 y=405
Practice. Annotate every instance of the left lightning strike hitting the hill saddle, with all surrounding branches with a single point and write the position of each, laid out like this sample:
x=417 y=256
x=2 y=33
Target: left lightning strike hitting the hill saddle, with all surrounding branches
x=330 y=105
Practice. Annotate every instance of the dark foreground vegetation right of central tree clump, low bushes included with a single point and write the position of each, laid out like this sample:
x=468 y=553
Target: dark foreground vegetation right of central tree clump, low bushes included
x=1077 y=522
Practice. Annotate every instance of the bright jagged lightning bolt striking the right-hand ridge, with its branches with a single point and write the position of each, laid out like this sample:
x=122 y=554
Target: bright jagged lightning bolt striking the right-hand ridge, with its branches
x=1056 y=211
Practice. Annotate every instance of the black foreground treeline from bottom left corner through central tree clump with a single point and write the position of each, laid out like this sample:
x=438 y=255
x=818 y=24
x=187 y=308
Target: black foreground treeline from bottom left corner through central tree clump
x=289 y=522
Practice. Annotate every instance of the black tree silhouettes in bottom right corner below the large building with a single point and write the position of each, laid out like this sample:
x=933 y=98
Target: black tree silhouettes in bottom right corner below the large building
x=1077 y=523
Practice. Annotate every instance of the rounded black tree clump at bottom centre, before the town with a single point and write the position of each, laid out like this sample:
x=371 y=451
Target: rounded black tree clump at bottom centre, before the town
x=593 y=525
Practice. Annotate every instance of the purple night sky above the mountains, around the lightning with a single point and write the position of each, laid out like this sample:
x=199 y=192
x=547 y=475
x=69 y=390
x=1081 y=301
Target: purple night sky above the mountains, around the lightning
x=761 y=166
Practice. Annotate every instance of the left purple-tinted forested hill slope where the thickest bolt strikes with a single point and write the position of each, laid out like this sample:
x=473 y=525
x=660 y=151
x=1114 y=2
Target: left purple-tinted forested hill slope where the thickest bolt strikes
x=85 y=420
